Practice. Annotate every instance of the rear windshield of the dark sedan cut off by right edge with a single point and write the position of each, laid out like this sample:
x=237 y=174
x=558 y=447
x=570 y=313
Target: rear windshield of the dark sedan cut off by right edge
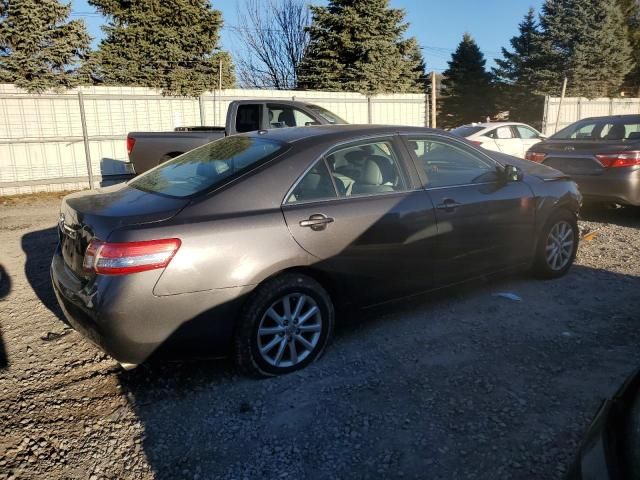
x=611 y=129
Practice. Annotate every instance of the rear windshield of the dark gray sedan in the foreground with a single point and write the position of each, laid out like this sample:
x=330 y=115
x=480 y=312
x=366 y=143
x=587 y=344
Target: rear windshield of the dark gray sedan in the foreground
x=207 y=166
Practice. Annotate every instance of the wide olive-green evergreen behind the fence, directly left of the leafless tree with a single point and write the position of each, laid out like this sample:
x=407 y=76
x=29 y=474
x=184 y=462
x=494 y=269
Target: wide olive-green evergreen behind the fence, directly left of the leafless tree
x=169 y=45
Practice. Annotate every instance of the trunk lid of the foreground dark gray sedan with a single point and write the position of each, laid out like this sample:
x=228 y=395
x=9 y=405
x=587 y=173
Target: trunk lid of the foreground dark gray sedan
x=96 y=213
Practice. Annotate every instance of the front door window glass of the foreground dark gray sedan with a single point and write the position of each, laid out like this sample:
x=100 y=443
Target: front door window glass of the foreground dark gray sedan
x=446 y=164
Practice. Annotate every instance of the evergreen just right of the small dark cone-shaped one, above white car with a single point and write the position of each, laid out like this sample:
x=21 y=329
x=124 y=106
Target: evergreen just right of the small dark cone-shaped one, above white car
x=515 y=73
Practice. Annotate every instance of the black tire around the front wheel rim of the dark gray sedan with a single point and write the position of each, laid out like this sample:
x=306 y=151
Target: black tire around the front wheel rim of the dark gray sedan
x=541 y=266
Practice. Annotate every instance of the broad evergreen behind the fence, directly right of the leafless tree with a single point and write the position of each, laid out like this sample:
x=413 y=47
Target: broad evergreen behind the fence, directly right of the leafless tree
x=358 y=45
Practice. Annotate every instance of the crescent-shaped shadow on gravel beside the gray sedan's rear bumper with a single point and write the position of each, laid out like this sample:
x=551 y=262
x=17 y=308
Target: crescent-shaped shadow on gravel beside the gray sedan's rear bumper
x=39 y=248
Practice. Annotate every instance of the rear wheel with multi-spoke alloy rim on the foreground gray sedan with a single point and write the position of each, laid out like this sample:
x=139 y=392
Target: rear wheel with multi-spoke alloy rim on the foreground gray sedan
x=285 y=326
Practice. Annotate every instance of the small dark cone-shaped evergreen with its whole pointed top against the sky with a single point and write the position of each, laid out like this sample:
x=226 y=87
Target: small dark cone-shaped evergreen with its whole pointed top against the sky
x=466 y=88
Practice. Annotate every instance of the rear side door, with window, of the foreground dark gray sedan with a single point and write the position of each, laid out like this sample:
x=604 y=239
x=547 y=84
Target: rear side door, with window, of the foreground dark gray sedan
x=369 y=226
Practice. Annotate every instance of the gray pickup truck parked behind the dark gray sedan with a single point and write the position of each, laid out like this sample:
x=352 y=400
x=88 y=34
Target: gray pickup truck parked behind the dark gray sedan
x=149 y=149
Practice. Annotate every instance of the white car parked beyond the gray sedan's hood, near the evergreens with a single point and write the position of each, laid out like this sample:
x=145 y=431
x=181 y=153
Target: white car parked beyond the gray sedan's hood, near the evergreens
x=505 y=137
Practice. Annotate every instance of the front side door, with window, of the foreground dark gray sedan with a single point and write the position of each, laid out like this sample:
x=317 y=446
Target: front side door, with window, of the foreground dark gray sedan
x=484 y=225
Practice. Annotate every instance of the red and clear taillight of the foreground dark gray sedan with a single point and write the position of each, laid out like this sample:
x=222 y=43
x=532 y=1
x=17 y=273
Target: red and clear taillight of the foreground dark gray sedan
x=106 y=258
